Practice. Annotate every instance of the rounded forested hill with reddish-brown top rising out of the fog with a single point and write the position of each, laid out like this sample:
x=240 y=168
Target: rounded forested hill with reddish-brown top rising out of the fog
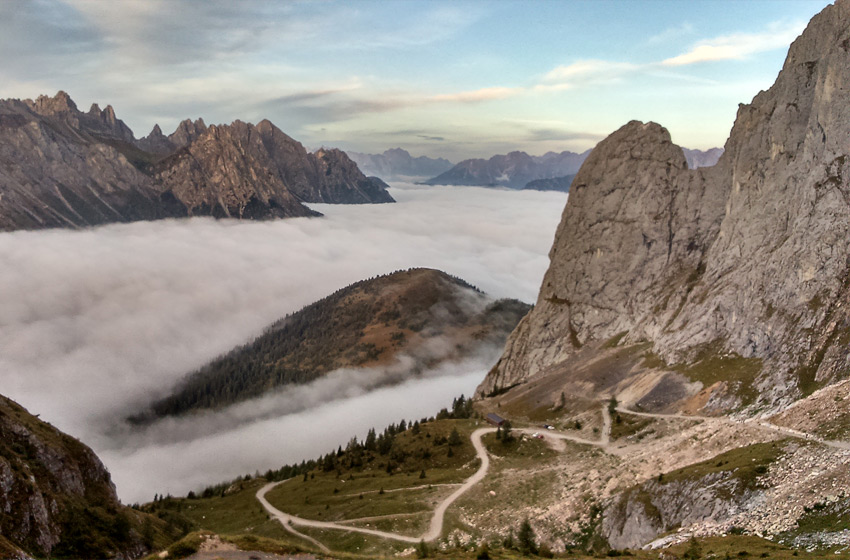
x=412 y=320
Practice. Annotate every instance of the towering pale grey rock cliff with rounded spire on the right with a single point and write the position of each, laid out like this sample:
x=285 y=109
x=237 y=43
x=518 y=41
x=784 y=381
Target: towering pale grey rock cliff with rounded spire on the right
x=747 y=258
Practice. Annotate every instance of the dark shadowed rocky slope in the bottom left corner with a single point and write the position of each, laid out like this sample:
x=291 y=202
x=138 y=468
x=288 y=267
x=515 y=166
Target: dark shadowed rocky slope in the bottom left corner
x=56 y=497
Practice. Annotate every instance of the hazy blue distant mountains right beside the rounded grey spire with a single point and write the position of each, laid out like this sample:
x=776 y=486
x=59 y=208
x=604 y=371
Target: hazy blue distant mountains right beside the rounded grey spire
x=514 y=170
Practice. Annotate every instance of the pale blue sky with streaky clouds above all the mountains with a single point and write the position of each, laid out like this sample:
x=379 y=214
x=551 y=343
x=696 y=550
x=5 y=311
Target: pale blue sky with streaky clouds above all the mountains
x=454 y=79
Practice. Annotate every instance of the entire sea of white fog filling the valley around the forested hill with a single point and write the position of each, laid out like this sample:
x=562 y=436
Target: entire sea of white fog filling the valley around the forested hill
x=94 y=324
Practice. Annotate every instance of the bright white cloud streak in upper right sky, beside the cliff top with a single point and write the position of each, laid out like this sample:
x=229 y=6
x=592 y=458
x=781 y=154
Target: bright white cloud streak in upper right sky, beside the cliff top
x=739 y=45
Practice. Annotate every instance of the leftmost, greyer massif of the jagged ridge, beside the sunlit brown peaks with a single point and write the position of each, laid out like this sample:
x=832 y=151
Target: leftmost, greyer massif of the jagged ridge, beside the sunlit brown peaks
x=55 y=173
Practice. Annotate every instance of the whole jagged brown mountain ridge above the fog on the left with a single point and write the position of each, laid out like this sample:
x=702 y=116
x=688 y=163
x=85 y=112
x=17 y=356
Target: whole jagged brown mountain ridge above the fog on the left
x=66 y=168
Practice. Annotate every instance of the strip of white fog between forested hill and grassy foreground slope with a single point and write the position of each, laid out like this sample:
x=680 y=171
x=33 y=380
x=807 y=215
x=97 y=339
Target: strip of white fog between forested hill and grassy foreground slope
x=176 y=456
